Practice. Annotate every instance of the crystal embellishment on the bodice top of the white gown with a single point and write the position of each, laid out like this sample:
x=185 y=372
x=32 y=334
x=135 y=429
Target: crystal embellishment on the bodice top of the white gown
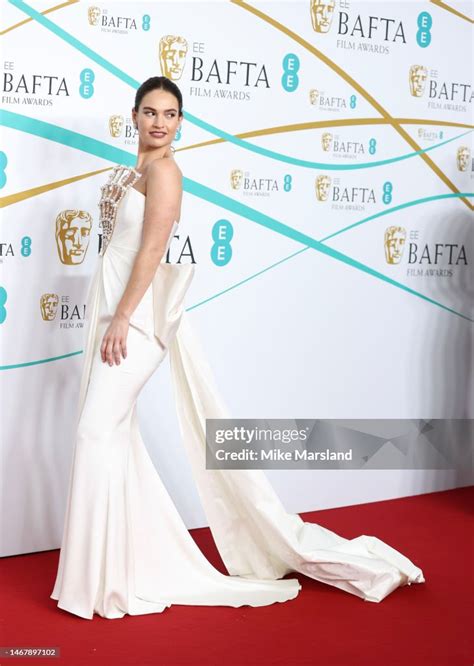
x=121 y=178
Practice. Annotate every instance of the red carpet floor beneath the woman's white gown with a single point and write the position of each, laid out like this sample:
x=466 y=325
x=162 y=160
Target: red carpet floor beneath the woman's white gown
x=420 y=625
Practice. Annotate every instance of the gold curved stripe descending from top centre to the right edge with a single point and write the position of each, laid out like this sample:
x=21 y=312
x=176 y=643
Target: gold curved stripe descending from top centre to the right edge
x=332 y=65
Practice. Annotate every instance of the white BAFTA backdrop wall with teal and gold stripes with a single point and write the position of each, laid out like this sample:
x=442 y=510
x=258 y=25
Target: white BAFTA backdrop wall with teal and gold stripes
x=314 y=314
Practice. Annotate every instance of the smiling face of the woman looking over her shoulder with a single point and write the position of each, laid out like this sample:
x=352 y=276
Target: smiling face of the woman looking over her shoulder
x=157 y=119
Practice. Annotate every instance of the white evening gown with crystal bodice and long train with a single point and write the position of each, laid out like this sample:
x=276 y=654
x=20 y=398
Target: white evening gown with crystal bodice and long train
x=125 y=548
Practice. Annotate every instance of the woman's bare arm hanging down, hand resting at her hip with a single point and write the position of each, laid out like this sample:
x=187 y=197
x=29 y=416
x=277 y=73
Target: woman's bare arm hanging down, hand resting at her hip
x=162 y=205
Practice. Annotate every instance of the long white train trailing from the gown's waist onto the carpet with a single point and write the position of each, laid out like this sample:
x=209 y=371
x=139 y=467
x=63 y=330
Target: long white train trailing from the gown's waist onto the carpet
x=255 y=535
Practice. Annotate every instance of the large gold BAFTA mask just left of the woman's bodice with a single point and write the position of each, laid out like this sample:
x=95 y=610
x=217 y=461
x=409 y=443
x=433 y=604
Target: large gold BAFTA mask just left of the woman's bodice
x=73 y=228
